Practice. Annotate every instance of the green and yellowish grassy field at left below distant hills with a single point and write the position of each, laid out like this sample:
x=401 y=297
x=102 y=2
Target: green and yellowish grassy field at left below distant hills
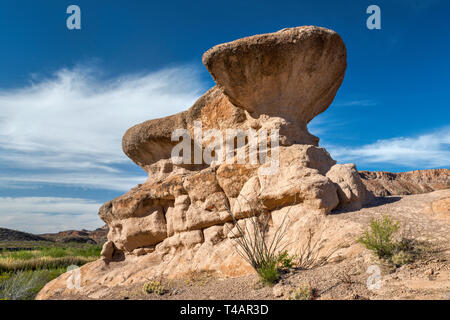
x=26 y=266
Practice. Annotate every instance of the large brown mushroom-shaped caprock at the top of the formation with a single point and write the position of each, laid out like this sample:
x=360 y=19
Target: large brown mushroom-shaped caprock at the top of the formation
x=293 y=73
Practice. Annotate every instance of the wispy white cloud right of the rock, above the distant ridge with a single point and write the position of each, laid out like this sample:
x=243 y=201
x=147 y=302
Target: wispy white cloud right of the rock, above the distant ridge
x=430 y=150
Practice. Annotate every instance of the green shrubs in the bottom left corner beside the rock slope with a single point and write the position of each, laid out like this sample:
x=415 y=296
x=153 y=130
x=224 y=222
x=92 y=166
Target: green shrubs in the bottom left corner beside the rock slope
x=25 y=285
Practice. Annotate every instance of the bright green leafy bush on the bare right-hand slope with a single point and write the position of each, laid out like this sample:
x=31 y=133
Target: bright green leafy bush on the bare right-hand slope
x=379 y=237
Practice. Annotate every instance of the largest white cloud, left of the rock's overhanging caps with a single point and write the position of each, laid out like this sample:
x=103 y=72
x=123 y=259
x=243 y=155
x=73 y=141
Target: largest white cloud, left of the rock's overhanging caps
x=72 y=123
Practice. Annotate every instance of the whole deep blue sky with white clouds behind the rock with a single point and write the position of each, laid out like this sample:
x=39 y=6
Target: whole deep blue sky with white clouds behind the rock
x=67 y=96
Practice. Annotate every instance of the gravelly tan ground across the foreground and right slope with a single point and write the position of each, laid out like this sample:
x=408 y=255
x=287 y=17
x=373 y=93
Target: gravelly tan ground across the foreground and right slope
x=426 y=278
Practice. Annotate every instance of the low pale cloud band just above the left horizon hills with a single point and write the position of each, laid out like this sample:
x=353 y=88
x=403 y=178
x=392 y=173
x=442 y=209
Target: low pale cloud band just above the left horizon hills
x=45 y=214
